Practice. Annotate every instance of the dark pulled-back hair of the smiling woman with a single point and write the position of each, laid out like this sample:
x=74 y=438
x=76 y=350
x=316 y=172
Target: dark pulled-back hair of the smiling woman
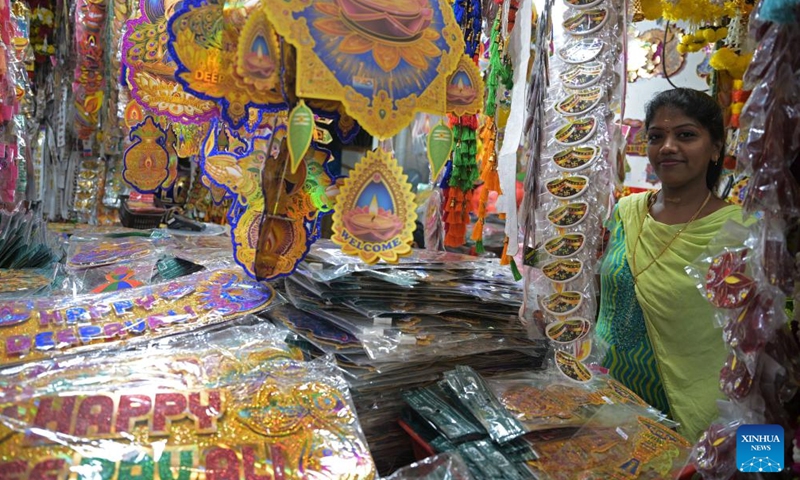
x=700 y=107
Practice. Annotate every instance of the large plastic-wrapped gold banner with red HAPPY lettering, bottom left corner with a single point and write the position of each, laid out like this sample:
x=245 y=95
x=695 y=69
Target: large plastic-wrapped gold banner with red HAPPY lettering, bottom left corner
x=295 y=421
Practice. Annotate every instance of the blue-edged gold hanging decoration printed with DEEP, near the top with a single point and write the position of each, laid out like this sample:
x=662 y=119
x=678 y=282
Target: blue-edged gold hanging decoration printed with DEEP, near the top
x=231 y=56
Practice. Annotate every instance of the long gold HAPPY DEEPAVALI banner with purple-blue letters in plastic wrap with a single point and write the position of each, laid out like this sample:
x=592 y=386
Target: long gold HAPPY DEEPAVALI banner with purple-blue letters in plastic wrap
x=35 y=329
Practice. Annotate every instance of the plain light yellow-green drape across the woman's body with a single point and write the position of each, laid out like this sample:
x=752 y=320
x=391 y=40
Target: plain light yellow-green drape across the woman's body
x=688 y=348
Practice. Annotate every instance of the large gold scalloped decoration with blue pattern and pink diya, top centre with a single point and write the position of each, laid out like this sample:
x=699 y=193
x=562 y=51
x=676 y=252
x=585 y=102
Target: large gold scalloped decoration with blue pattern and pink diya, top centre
x=384 y=60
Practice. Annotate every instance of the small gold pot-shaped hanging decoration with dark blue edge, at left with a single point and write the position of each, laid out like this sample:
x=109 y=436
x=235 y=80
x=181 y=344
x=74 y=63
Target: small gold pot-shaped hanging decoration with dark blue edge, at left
x=145 y=164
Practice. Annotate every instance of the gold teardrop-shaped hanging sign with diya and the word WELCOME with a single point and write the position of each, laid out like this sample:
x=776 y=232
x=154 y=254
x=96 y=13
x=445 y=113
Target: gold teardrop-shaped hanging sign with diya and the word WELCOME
x=375 y=212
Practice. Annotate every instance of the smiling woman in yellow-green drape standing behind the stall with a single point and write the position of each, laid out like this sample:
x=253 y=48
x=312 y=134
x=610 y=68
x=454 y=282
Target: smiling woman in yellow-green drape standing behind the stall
x=662 y=340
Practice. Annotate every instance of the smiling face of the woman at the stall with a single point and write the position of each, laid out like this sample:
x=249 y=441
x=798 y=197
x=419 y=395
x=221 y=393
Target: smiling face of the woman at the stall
x=679 y=148
